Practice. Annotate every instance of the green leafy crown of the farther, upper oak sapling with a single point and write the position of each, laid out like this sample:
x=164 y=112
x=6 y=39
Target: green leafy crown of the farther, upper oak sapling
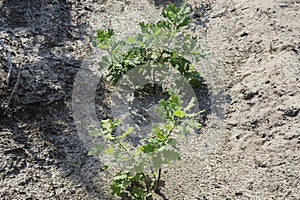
x=164 y=42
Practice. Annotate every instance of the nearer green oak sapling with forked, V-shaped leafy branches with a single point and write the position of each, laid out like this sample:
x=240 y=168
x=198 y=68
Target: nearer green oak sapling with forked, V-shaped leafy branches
x=139 y=175
